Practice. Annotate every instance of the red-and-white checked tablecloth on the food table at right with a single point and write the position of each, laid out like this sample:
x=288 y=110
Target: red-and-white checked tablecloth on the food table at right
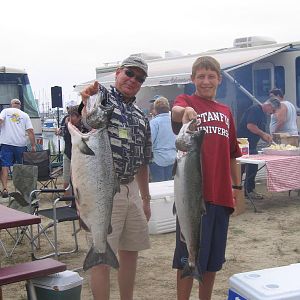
x=283 y=172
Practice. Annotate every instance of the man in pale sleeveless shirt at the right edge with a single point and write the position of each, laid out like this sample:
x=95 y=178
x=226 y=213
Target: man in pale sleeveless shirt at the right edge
x=285 y=118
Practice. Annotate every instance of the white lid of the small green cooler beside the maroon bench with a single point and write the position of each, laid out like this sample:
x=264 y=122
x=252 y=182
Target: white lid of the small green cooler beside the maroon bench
x=59 y=281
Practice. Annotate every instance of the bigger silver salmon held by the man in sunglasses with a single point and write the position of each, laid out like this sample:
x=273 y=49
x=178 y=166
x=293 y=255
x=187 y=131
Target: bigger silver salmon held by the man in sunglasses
x=95 y=183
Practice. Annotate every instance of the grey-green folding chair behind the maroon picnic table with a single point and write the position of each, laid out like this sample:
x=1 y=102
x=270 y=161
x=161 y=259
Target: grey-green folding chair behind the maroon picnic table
x=25 y=180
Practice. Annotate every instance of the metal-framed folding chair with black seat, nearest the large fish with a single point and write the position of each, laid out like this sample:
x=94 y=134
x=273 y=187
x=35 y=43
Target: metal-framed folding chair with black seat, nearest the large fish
x=57 y=214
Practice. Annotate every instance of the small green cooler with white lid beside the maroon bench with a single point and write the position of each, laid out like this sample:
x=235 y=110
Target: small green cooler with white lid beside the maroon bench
x=59 y=286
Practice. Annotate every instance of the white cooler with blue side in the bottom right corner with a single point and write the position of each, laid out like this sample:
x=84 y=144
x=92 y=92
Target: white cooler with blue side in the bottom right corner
x=282 y=283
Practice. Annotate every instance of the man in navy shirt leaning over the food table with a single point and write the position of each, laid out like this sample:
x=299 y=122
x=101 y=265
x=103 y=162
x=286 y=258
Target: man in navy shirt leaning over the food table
x=253 y=127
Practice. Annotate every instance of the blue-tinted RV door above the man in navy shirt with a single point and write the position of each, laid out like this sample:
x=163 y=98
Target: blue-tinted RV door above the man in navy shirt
x=263 y=80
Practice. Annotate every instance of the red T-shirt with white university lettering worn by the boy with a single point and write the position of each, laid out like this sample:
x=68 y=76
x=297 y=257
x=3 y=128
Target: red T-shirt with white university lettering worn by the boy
x=219 y=146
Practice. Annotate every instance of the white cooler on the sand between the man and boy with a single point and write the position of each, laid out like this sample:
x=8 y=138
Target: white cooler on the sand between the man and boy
x=162 y=200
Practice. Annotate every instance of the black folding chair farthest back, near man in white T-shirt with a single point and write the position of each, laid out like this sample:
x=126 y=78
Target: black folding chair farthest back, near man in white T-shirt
x=46 y=176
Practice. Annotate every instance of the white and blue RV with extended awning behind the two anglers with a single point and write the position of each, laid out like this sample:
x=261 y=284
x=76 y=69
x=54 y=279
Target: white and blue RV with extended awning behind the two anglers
x=250 y=69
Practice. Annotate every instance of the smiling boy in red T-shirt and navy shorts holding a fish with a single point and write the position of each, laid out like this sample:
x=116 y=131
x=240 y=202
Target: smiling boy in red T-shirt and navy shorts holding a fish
x=219 y=171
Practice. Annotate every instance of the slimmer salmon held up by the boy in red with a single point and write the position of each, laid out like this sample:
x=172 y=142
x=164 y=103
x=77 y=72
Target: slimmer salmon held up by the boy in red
x=189 y=202
